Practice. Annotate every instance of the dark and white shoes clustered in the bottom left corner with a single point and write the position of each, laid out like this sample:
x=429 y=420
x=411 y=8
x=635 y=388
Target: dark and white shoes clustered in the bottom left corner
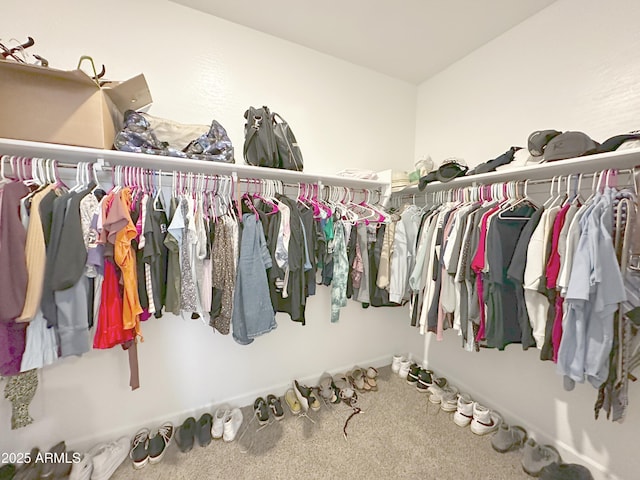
x=99 y=463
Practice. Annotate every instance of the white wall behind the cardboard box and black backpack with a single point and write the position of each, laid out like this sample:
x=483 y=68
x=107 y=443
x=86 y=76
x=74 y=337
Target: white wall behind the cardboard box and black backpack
x=199 y=68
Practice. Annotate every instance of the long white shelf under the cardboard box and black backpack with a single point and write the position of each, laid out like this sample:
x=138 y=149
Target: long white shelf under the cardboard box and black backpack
x=66 y=153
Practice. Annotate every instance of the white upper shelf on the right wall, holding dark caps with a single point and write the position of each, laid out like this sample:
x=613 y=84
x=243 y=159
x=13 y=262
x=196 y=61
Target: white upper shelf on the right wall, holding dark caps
x=619 y=160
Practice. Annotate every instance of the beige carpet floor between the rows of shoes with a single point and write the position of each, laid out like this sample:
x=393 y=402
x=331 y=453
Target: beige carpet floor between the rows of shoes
x=398 y=436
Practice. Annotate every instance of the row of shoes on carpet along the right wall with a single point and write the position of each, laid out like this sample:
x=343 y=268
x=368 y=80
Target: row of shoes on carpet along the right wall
x=537 y=460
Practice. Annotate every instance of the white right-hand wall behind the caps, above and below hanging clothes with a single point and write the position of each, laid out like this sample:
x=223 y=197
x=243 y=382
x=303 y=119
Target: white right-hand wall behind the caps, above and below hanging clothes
x=573 y=66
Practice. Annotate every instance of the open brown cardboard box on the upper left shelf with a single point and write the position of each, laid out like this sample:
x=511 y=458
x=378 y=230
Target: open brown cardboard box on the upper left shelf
x=68 y=107
